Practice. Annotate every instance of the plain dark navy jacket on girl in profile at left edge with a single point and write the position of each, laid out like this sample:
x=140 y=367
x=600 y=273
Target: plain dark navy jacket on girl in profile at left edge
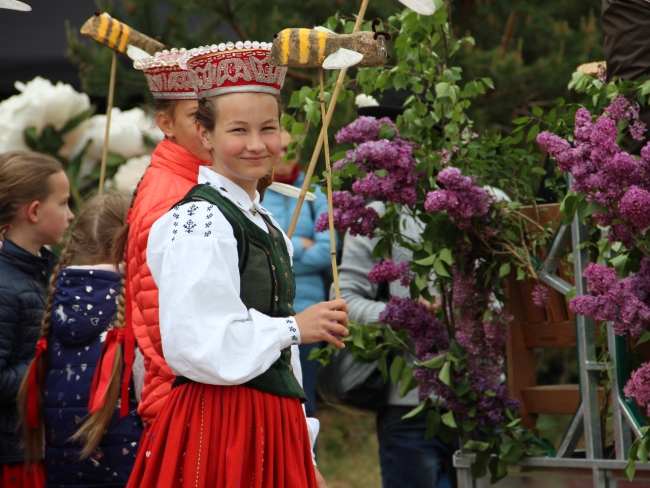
x=23 y=283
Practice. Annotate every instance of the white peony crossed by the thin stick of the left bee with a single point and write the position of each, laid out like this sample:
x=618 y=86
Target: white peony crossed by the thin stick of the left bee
x=126 y=135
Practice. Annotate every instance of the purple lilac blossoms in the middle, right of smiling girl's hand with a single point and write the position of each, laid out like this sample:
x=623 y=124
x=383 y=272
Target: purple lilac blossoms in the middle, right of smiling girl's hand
x=473 y=330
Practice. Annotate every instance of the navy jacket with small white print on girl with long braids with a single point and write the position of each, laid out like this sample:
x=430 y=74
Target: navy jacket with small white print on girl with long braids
x=83 y=310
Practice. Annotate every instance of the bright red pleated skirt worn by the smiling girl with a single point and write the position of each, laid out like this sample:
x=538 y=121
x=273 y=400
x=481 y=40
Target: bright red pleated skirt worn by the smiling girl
x=209 y=436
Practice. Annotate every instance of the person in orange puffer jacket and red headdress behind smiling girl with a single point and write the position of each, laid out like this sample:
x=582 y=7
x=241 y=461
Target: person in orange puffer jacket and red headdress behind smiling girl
x=173 y=171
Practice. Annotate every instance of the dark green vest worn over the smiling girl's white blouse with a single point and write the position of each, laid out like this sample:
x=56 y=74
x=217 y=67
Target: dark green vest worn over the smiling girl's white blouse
x=267 y=283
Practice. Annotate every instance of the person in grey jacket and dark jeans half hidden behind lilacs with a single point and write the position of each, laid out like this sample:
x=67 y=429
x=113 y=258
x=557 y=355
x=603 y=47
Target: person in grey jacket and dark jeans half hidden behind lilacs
x=406 y=458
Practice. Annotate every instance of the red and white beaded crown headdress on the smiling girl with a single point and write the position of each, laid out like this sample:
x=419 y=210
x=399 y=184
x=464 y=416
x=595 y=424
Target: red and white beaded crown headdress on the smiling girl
x=232 y=68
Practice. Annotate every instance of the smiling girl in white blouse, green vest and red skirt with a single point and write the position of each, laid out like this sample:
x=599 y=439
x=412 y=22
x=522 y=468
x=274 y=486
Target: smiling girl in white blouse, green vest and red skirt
x=223 y=268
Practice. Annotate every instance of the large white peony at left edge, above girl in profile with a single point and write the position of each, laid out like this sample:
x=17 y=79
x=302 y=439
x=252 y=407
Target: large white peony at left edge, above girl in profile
x=38 y=105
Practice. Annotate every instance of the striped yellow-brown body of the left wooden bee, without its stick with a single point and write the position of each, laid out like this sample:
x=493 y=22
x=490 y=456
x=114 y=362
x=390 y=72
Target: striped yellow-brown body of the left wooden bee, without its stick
x=117 y=35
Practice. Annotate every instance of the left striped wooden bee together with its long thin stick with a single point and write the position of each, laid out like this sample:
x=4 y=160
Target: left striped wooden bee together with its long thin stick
x=123 y=39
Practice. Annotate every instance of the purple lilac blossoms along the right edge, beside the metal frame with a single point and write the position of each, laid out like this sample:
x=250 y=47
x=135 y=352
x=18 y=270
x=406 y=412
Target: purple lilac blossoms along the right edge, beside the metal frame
x=619 y=184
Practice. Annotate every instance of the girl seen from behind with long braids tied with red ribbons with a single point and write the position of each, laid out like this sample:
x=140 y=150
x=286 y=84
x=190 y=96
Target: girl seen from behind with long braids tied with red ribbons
x=74 y=396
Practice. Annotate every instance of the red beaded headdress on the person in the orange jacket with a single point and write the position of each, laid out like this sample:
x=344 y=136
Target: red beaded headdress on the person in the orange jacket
x=166 y=79
